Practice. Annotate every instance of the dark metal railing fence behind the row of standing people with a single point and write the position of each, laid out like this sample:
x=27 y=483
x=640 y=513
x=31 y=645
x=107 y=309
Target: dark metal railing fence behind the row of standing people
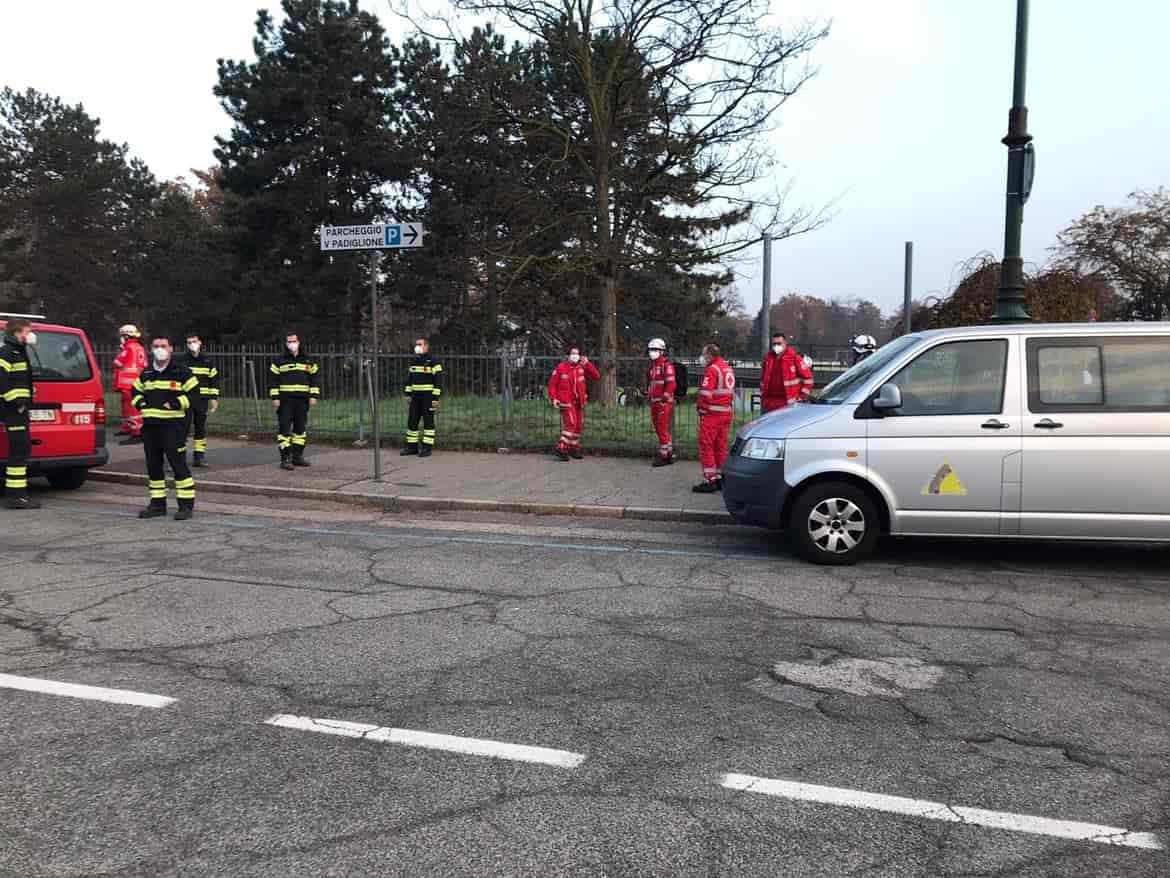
x=490 y=401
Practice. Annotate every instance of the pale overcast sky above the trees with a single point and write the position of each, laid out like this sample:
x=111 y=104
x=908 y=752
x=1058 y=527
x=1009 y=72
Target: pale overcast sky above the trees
x=903 y=122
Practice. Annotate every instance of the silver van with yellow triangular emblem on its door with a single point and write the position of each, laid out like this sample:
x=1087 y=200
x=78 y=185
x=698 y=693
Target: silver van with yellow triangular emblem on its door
x=1048 y=431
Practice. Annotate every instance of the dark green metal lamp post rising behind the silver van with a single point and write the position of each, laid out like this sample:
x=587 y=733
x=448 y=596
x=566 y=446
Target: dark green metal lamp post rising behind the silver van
x=1021 y=166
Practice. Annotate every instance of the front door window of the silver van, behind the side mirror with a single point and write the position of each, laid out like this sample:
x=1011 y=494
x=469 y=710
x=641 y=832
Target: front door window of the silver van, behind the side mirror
x=955 y=379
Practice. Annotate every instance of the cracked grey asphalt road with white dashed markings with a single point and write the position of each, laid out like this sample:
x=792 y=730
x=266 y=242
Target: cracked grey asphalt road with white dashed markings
x=649 y=666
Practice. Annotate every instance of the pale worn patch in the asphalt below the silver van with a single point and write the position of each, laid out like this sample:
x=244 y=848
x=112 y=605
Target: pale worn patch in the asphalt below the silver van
x=890 y=677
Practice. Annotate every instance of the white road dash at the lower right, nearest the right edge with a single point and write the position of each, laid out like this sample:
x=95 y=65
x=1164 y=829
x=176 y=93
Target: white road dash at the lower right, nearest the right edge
x=942 y=812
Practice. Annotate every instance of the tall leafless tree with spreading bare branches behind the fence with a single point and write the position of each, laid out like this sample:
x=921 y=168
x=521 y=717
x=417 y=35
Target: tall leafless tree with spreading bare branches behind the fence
x=666 y=132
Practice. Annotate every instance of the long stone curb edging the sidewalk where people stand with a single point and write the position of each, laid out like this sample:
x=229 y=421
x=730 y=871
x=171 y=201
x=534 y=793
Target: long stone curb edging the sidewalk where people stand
x=404 y=503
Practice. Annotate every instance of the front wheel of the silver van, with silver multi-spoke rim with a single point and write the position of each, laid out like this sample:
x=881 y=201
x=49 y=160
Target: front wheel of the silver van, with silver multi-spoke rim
x=834 y=523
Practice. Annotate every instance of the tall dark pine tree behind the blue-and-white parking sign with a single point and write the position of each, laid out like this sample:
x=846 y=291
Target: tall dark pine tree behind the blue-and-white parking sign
x=313 y=143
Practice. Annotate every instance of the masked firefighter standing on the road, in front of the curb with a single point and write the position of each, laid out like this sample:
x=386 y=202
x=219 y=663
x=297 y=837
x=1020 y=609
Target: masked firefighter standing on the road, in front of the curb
x=163 y=394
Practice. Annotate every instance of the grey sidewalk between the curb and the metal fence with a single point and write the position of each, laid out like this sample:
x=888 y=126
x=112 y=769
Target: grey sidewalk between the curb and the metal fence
x=600 y=488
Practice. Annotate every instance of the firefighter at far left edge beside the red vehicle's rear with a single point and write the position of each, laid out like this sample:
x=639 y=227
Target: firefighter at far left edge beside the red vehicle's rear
x=16 y=397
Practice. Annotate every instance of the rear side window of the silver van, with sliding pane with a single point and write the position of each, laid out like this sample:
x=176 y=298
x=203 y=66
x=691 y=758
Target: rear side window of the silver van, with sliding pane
x=1099 y=375
